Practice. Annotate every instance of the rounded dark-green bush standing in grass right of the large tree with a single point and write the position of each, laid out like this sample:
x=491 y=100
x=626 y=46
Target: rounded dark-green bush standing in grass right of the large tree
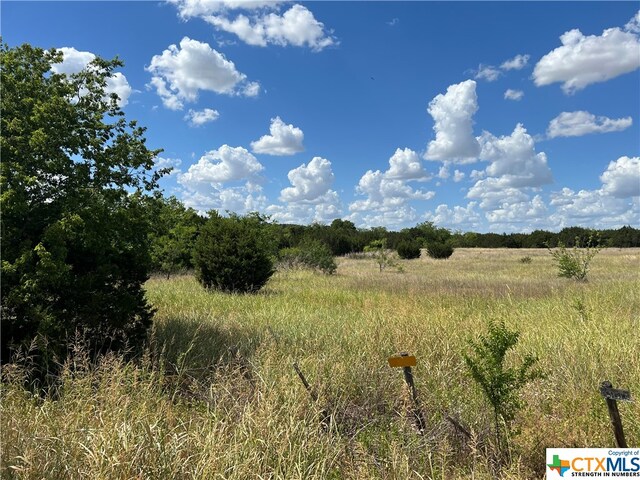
x=232 y=254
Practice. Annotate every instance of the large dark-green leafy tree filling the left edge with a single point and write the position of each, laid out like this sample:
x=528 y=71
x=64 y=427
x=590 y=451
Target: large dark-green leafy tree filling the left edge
x=74 y=233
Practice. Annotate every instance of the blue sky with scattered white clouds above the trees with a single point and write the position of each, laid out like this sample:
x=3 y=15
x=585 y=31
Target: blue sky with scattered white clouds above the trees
x=477 y=116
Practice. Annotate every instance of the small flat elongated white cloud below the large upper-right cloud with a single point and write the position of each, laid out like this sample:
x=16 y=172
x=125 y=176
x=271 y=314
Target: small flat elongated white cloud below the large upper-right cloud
x=576 y=124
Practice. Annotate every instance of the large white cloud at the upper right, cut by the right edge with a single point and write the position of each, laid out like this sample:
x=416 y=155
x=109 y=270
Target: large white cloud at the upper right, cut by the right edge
x=583 y=60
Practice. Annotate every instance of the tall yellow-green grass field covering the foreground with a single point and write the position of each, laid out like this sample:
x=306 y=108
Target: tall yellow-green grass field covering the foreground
x=216 y=396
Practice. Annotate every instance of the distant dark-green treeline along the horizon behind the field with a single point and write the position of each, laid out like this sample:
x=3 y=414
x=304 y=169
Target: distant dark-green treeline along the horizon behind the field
x=174 y=230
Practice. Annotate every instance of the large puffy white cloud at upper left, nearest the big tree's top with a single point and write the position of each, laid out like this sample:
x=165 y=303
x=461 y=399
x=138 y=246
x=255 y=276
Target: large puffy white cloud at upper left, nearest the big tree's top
x=180 y=72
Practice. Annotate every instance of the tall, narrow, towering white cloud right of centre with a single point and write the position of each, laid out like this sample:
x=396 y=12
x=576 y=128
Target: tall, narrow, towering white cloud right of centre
x=452 y=114
